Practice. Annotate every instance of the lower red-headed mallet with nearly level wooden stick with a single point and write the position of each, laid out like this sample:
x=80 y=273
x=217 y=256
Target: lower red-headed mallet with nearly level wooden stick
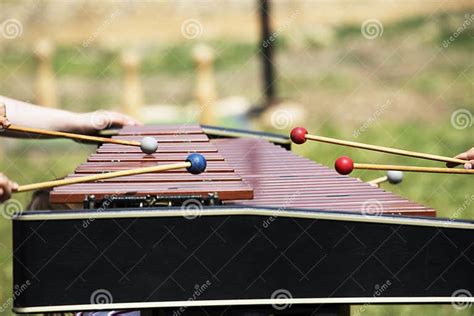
x=344 y=165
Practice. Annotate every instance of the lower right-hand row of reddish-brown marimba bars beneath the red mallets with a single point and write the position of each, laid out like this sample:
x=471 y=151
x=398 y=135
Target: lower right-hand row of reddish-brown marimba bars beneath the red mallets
x=281 y=179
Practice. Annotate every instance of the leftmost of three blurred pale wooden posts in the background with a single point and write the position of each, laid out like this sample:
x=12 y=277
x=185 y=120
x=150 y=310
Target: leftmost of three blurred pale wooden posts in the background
x=45 y=86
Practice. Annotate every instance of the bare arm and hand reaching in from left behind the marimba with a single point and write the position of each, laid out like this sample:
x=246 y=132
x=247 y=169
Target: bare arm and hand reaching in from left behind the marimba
x=26 y=114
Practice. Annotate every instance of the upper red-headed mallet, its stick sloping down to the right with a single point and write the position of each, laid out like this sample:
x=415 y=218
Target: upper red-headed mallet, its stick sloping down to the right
x=299 y=135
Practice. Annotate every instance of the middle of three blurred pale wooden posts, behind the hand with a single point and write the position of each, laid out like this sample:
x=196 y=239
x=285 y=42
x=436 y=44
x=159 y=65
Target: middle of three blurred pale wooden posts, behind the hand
x=132 y=88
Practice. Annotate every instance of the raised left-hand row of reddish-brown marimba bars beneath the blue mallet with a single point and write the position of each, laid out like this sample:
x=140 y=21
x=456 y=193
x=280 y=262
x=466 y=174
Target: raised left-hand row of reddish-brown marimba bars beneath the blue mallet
x=174 y=145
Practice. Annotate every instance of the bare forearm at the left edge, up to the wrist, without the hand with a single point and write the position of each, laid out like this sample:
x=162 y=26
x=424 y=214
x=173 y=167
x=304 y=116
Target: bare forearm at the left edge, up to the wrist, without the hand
x=25 y=114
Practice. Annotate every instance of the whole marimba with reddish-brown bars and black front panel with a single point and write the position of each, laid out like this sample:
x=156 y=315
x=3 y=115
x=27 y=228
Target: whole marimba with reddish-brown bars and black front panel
x=261 y=230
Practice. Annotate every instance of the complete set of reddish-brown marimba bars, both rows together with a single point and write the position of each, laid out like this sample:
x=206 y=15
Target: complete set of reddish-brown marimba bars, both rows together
x=243 y=171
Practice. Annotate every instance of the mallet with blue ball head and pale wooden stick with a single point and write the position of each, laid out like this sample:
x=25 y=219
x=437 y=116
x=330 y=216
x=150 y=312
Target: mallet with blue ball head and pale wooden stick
x=195 y=164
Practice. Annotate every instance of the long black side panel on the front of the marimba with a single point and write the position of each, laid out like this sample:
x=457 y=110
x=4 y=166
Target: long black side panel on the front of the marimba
x=157 y=259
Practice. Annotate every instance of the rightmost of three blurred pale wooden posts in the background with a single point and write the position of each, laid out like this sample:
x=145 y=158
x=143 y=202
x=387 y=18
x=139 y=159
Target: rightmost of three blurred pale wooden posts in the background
x=205 y=83
